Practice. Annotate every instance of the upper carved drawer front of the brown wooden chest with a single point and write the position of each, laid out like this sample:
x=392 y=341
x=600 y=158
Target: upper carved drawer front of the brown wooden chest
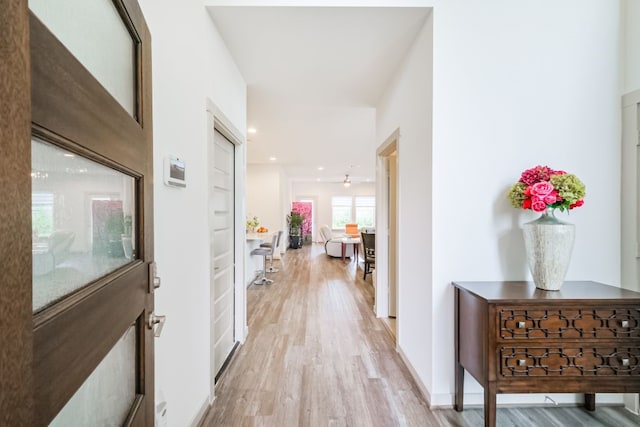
x=527 y=323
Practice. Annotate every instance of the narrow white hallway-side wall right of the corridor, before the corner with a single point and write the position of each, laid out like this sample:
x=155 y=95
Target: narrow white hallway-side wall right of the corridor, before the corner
x=407 y=105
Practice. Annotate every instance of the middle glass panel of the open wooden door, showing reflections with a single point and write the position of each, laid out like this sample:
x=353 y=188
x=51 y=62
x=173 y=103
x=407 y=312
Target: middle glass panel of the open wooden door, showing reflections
x=82 y=221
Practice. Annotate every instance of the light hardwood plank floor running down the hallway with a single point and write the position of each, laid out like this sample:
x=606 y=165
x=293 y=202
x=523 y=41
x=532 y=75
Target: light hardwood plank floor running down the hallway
x=317 y=356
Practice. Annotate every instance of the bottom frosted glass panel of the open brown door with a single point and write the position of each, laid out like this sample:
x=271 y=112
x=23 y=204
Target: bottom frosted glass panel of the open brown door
x=106 y=396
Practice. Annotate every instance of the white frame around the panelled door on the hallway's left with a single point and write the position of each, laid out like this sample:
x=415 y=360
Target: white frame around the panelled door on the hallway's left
x=217 y=120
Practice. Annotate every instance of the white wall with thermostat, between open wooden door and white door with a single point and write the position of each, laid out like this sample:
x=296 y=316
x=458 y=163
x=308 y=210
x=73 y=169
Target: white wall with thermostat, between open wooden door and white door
x=190 y=64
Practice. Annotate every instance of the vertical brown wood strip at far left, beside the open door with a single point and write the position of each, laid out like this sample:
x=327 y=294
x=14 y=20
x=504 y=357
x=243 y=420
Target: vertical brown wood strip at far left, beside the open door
x=16 y=332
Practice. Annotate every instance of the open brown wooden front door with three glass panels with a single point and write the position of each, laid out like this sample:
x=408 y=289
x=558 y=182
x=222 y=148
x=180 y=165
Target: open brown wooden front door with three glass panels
x=92 y=260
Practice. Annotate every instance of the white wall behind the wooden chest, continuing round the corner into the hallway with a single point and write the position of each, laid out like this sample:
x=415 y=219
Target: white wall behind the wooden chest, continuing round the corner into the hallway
x=506 y=97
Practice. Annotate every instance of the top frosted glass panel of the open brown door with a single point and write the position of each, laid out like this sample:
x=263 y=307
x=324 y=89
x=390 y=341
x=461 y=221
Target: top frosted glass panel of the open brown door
x=93 y=31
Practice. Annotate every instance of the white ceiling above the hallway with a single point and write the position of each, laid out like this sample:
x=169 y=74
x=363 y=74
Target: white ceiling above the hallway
x=314 y=76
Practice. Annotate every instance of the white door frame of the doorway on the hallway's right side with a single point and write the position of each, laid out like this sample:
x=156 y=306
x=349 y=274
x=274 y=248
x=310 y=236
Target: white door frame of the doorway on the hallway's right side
x=381 y=271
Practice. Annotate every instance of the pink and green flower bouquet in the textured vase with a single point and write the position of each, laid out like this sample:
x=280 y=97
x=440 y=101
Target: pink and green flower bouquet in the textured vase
x=541 y=187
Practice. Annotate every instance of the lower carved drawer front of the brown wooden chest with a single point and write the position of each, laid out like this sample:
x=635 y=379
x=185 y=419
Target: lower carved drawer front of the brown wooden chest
x=574 y=360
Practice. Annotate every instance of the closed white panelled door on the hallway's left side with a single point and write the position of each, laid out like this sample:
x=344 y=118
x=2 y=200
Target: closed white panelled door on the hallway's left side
x=221 y=235
